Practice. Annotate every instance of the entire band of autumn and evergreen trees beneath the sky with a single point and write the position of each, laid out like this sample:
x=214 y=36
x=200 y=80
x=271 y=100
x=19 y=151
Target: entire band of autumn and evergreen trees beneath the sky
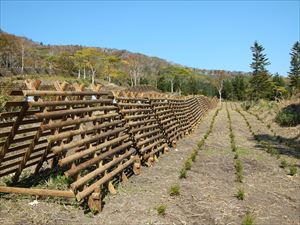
x=23 y=56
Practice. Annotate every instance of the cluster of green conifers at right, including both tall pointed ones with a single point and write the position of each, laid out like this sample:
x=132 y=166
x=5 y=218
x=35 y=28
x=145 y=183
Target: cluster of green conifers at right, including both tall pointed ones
x=261 y=84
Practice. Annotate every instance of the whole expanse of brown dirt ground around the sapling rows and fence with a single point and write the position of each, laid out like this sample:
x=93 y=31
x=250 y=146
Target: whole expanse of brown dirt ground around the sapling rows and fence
x=206 y=195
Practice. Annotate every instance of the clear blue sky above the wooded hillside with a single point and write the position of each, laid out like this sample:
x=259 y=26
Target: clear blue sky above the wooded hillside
x=202 y=34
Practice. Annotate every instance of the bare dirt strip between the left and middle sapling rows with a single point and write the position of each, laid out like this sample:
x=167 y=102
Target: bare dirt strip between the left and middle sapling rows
x=207 y=193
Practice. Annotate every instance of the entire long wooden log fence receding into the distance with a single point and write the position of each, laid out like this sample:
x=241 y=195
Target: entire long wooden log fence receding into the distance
x=98 y=137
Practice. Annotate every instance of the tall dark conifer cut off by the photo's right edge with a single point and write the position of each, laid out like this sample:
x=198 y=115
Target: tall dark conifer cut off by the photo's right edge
x=294 y=73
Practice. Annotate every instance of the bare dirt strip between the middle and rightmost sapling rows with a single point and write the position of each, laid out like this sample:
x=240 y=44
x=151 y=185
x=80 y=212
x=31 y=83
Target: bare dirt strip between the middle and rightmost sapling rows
x=271 y=195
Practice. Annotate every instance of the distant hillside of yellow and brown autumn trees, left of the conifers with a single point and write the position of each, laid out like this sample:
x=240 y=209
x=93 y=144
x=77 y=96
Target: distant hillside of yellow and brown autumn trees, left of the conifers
x=20 y=55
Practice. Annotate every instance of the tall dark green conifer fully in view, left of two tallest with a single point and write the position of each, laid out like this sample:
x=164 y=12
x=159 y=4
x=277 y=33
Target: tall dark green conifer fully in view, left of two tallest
x=260 y=84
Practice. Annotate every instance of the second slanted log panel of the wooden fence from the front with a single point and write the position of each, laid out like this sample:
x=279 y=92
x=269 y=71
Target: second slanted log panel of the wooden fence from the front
x=142 y=125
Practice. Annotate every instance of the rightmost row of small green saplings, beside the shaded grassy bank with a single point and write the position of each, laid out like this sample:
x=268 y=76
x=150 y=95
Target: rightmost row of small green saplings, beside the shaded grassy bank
x=268 y=147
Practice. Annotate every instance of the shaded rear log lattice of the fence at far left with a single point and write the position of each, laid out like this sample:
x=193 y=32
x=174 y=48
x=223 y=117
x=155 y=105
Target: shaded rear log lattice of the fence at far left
x=23 y=144
